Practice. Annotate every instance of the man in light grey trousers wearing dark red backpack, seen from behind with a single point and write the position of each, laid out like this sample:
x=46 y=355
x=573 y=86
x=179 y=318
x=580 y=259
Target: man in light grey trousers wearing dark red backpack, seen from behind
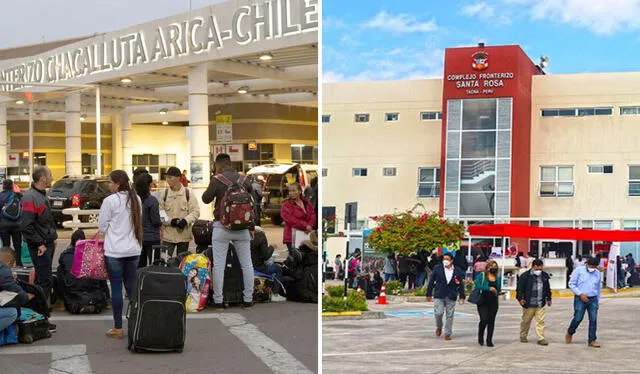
x=222 y=236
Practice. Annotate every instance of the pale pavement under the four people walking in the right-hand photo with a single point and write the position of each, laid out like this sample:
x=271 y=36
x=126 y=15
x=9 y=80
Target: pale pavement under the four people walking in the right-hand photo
x=407 y=343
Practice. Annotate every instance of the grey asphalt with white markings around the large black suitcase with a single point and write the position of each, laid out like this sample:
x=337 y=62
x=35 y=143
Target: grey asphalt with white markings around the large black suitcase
x=275 y=337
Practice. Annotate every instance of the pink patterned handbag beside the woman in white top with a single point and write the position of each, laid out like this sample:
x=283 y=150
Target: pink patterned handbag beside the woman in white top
x=88 y=259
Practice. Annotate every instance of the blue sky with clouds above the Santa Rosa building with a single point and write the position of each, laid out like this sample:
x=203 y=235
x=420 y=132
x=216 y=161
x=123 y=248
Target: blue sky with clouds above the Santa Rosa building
x=367 y=40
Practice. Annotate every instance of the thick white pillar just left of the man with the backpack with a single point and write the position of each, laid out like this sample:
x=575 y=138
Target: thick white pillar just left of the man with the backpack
x=199 y=134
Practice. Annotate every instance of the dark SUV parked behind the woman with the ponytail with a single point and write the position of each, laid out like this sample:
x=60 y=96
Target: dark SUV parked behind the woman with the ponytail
x=84 y=192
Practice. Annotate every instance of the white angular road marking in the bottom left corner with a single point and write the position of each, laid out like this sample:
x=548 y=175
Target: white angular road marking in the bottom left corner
x=68 y=359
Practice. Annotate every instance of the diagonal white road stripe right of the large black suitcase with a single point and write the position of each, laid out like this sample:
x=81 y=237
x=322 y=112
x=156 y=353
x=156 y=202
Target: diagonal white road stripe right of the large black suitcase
x=278 y=359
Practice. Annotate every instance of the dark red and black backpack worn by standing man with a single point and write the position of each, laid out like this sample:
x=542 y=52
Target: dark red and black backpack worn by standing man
x=236 y=205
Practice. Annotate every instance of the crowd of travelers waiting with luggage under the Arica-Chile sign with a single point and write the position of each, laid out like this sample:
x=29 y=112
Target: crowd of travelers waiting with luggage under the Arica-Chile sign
x=135 y=222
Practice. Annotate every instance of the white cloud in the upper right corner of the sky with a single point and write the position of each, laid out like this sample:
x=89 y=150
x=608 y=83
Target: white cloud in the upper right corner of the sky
x=599 y=17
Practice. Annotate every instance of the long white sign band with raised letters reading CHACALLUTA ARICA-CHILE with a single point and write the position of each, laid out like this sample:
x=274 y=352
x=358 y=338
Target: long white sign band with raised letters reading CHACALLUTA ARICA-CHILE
x=209 y=32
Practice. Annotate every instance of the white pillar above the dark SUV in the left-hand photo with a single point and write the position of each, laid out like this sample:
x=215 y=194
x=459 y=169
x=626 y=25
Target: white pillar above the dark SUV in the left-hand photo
x=73 y=131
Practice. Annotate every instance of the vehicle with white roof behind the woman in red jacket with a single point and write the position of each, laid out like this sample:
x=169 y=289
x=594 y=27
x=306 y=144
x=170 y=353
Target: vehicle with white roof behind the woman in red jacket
x=277 y=177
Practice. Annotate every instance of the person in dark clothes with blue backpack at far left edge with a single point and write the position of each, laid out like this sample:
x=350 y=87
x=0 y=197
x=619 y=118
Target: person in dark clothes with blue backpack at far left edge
x=10 y=225
